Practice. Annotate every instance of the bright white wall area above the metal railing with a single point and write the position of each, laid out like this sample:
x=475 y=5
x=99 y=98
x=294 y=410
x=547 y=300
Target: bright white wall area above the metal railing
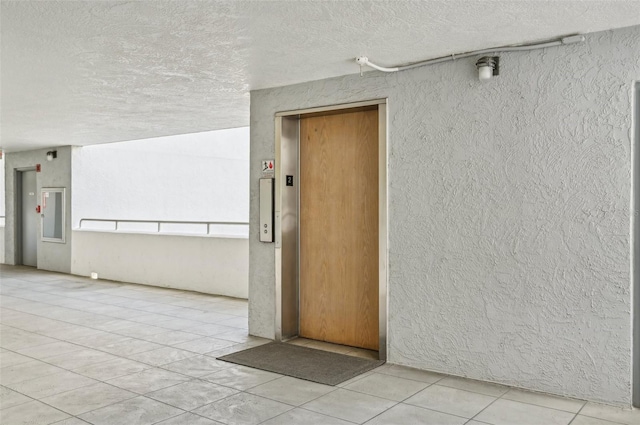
x=191 y=177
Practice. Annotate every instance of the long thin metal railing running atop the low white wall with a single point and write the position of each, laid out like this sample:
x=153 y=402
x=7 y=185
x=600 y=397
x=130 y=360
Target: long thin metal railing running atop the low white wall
x=196 y=228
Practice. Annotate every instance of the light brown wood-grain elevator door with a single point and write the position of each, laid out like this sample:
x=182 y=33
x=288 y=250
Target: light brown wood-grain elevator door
x=339 y=227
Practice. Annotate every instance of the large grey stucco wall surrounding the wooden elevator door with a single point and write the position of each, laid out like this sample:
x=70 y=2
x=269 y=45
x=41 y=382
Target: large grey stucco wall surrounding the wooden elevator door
x=509 y=207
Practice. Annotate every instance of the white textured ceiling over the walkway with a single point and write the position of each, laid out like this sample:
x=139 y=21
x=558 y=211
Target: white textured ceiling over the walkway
x=87 y=72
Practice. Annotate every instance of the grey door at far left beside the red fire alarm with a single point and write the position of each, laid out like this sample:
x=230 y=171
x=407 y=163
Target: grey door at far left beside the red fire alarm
x=29 y=219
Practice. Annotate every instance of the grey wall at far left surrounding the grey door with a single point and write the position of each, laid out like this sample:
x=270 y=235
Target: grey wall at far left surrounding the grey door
x=57 y=173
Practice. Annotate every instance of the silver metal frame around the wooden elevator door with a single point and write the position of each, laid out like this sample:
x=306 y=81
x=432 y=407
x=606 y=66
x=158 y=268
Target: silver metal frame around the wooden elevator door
x=287 y=248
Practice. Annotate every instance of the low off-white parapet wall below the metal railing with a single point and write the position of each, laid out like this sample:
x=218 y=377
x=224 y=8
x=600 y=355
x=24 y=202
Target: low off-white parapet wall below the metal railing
x=204 y=264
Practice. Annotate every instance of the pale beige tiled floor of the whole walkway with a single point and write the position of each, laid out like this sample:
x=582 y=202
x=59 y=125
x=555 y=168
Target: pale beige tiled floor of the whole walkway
x=76 y=351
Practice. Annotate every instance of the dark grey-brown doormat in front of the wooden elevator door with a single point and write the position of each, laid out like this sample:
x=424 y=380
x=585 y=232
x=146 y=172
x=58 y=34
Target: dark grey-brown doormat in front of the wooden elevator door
x=319 y=366
